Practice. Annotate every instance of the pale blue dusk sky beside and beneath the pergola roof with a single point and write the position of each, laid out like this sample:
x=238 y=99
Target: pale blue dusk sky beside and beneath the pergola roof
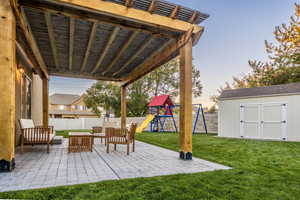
x=234 y=33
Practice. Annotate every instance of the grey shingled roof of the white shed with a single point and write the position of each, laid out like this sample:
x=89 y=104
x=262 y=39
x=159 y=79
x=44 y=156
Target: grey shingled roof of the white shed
x=275 y=90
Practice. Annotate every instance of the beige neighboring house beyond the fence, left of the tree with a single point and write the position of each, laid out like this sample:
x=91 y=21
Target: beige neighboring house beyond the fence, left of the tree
x=68 y=106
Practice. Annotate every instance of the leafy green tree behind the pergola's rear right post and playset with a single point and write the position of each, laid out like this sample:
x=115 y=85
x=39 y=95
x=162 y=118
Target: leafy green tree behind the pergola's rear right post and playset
x=164 y=80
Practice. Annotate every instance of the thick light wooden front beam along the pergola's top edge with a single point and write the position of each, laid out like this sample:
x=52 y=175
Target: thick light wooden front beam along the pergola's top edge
x=123 y=12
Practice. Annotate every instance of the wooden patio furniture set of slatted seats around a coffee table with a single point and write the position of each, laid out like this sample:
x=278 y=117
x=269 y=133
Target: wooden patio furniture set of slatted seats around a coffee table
x=78 y=141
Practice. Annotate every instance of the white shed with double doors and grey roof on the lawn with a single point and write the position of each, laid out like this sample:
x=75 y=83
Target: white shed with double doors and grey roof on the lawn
x=261 y=113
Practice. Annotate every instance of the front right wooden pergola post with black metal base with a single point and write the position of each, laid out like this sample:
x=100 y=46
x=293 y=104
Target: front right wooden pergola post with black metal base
x=186 y=101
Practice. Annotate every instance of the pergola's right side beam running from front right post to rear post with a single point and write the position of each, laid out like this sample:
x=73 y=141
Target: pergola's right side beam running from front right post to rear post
x=158 y=57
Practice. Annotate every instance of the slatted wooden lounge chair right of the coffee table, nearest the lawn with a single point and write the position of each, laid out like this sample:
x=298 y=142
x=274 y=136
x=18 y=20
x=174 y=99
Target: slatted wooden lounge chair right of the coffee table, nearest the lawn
x=117 y=136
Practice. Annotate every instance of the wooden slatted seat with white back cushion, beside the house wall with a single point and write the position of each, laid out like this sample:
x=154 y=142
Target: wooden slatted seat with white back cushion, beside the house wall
x=35 y=135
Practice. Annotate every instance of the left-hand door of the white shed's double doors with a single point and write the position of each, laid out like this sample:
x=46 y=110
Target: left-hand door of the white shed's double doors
x=250 y=121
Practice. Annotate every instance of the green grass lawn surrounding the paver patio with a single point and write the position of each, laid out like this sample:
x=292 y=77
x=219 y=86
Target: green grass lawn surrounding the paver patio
x=261 y=170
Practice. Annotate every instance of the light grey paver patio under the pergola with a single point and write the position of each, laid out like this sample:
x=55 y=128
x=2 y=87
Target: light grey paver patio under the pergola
x=37 y=169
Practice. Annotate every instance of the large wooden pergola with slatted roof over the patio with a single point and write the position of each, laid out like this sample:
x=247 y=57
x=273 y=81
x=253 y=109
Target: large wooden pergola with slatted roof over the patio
x=113 y=40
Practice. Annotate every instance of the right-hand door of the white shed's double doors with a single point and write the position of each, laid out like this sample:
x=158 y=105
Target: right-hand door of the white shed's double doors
x=273 y=123
